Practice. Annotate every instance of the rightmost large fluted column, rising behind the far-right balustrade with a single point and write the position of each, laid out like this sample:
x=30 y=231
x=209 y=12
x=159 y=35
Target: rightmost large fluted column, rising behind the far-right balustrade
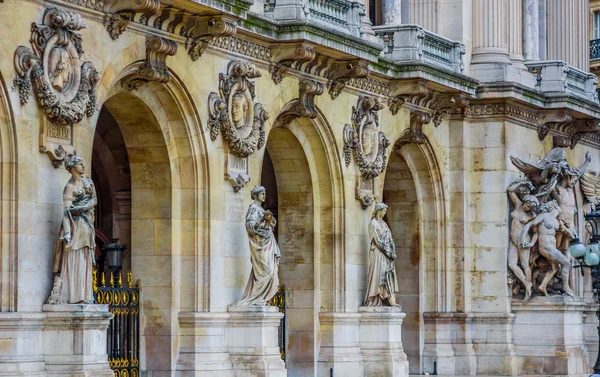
x=567 y=28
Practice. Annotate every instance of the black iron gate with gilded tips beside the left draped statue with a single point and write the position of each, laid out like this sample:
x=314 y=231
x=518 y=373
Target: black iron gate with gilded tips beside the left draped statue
x=124 y=330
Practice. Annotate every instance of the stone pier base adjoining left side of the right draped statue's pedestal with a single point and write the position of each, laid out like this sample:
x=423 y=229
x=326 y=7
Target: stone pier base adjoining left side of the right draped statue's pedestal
x=340 y=345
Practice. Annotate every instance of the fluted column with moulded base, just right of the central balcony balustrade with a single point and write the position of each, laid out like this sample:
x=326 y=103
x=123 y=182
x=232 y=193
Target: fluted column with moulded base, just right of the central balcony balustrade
x=490 y=31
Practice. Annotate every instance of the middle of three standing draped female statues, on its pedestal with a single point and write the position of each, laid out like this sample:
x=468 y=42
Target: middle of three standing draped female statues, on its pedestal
x=264 y=252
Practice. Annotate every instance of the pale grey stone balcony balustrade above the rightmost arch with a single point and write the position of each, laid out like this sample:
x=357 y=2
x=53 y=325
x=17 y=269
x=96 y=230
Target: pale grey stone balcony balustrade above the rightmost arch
x=413 y=43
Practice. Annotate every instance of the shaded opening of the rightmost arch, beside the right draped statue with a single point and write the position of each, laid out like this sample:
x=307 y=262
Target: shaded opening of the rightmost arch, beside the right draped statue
x=400 y=194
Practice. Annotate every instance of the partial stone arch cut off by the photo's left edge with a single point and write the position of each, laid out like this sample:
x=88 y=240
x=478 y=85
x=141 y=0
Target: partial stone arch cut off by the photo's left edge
x=8 y=203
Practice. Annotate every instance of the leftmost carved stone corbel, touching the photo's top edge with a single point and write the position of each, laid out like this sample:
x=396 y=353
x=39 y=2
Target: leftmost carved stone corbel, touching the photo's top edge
x=123 y=12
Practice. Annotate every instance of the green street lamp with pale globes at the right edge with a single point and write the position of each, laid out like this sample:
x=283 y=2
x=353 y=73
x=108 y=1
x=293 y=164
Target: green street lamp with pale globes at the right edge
x=589 y=256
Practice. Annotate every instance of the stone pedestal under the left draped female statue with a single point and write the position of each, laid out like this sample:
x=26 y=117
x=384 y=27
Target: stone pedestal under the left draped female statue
x=74 y=340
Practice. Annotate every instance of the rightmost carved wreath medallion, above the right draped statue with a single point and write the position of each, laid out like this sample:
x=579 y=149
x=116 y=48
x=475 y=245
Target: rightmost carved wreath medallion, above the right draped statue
x=364 y=138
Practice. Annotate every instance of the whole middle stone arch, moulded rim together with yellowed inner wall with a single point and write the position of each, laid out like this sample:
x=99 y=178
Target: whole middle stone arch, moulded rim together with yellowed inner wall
x=308 y=176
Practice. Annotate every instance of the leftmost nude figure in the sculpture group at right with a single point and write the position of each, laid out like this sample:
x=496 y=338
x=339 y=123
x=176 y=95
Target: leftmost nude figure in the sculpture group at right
x=521 y=215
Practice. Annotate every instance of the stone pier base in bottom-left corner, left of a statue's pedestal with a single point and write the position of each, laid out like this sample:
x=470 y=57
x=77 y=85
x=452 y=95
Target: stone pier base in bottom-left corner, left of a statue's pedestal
x=21 y=352
